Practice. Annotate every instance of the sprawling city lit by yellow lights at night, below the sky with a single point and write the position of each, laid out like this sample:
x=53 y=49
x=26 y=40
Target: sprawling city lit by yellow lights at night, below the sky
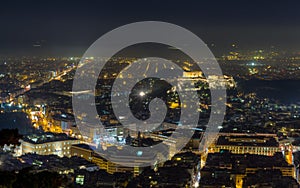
x=39 y=132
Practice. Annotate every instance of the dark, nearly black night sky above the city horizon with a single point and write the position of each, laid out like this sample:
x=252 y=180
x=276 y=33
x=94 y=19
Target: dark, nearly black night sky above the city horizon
x=70 y=27
